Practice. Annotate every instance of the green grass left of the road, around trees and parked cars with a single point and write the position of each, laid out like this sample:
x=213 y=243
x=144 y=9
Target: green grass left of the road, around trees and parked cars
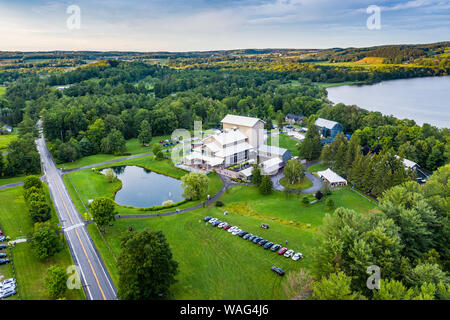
x=29 y=270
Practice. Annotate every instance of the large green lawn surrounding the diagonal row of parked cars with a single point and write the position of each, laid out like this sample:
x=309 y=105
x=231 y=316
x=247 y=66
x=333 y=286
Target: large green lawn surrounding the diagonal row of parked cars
x=214 y=264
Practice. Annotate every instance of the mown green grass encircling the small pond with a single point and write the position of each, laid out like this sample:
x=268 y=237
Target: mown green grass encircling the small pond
x=90 y=185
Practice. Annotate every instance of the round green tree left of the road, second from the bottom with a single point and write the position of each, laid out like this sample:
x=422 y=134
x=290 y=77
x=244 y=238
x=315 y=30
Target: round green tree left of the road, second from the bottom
x=45 y=240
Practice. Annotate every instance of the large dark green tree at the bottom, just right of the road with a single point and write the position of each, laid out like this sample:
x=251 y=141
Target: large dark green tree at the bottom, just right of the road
x=146 y=266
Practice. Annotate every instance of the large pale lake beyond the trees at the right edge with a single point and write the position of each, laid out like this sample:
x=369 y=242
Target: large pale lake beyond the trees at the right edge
x=424 y=100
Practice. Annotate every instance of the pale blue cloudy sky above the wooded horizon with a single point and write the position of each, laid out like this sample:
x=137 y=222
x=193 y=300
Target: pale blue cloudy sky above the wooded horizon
x=199 y=25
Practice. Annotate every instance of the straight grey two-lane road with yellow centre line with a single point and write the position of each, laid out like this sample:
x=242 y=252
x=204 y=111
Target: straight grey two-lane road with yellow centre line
x=94 y=277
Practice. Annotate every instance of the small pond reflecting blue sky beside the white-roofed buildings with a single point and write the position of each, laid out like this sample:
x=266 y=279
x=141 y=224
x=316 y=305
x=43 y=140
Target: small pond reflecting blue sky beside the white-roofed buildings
x=142 y=188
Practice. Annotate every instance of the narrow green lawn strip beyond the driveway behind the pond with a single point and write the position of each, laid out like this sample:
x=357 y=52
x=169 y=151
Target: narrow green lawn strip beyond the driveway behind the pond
x=133 y=147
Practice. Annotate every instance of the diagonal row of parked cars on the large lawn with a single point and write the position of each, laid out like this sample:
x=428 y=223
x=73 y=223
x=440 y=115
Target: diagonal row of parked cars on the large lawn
x=255 y=239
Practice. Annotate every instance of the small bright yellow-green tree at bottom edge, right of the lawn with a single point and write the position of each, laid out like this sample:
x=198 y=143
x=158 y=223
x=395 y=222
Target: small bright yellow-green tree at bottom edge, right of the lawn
x=337 y=286
